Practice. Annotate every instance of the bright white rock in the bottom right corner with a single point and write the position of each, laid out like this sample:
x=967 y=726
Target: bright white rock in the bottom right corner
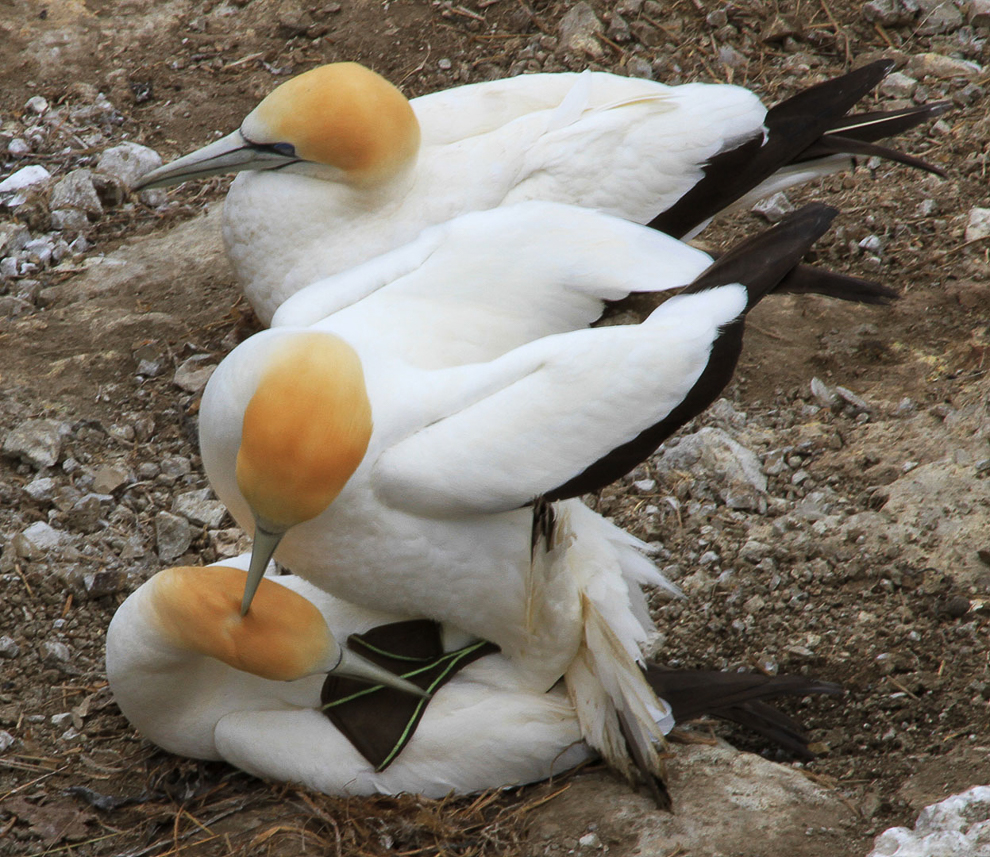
x=958 y=826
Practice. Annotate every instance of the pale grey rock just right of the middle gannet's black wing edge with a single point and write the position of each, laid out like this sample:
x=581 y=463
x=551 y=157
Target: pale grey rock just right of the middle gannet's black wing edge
x=736 y=471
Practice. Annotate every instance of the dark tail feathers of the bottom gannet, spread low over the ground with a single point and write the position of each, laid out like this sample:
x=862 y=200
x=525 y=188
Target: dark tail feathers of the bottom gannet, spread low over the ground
x=739 y=698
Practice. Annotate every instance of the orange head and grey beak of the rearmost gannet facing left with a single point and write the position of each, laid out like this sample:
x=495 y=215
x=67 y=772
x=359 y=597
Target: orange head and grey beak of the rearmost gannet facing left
x=341 y=116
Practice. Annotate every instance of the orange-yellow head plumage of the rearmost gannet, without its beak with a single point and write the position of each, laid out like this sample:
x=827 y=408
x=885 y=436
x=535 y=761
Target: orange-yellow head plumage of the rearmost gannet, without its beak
x=341 y=115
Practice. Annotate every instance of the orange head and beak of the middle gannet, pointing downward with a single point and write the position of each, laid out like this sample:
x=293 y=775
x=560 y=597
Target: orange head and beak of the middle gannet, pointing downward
x=305 y=431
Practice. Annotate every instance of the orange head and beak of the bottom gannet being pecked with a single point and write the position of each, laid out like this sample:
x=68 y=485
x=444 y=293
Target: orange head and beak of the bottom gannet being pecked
x=283 y=638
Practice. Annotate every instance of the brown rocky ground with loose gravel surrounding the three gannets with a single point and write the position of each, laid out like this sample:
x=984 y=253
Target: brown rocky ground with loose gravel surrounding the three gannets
x=827 y=517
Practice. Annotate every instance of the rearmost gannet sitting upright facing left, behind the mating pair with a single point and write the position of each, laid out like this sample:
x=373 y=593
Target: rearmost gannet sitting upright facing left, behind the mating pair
x=337 y=167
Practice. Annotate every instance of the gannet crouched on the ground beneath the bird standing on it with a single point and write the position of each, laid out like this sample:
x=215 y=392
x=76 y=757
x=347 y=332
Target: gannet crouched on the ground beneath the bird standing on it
x=480 y=731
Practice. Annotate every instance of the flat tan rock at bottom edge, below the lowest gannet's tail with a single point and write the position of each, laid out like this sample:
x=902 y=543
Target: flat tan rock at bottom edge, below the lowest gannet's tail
x=725 y=802
